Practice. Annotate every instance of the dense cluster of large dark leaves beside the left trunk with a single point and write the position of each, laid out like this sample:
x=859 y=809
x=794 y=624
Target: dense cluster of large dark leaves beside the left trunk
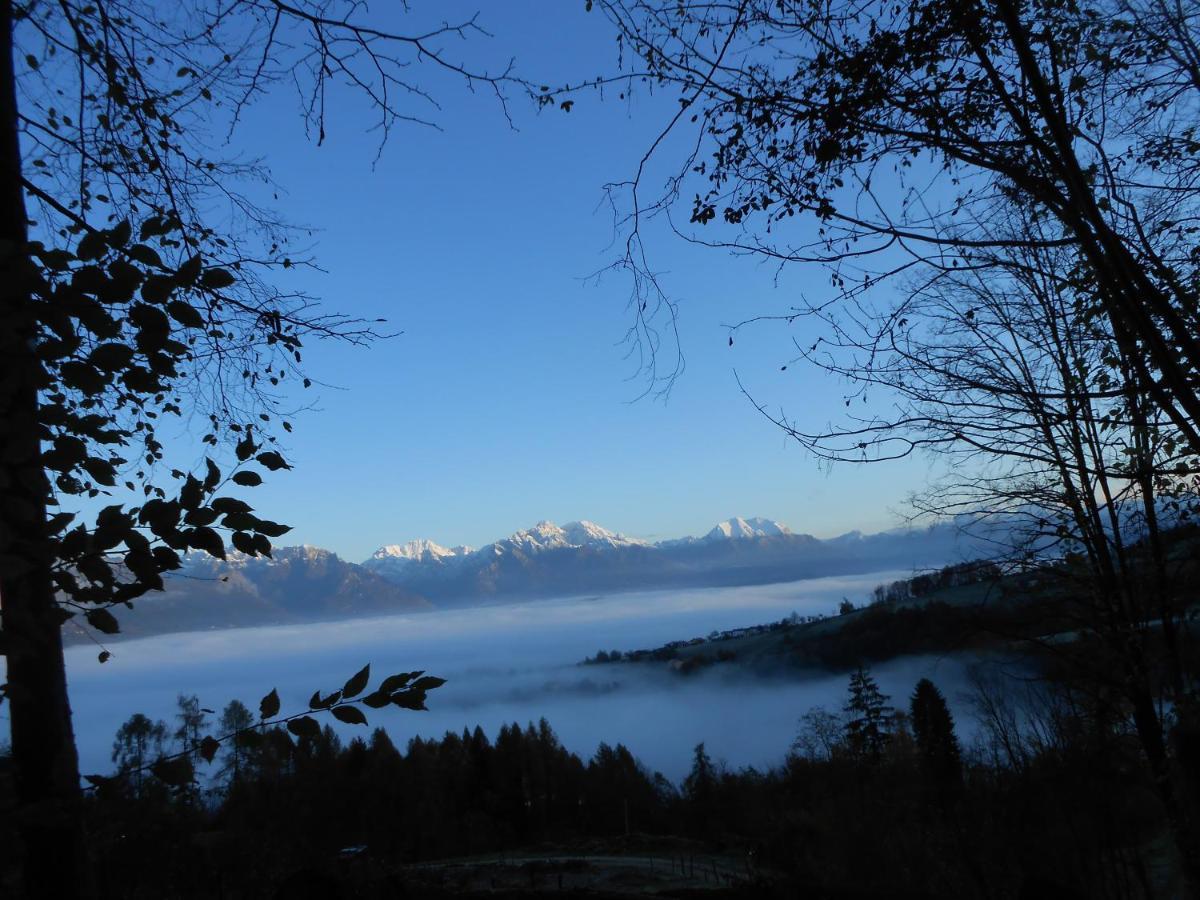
x=119 y=333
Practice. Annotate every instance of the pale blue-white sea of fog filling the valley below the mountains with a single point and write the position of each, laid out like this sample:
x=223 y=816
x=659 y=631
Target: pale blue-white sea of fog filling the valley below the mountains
x=503 y=664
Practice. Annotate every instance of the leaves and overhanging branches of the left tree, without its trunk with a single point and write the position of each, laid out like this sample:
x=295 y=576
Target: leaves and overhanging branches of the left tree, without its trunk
x=151 y=256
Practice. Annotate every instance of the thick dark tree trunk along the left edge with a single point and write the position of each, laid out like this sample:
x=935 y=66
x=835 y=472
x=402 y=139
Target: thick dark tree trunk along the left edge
x=47 y=769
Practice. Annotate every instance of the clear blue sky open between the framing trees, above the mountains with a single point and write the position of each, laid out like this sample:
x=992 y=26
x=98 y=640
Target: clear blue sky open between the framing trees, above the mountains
x=507 y=399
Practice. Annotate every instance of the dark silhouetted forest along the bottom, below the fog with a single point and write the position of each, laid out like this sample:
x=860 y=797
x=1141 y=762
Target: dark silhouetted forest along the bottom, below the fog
x=872 y=797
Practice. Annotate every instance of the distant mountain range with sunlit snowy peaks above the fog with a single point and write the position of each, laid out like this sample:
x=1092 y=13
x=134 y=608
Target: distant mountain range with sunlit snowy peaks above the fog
x=310 y=584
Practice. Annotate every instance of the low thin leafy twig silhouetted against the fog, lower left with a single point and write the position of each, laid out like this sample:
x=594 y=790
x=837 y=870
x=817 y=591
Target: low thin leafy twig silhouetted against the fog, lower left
x=406 y=691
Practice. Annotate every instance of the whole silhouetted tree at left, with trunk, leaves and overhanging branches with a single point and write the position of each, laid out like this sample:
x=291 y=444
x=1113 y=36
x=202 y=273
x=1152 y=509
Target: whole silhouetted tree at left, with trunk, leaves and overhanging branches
x=139 y=286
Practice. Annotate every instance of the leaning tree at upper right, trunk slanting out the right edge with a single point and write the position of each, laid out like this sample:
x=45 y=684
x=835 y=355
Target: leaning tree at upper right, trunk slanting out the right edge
x=809 y=128
